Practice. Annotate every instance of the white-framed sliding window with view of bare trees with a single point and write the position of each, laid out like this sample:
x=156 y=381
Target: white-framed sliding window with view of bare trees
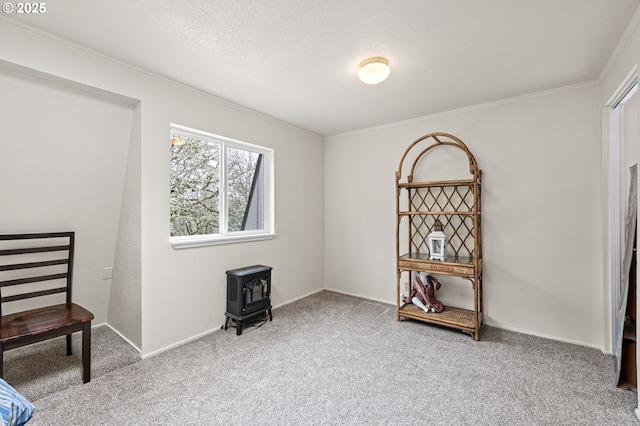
x=221 y=189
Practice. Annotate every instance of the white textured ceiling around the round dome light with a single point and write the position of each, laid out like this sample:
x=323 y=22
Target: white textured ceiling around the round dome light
x=297 y=60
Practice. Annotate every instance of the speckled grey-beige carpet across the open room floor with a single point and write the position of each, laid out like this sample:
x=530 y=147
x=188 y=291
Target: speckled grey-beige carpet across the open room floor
x=331 y=359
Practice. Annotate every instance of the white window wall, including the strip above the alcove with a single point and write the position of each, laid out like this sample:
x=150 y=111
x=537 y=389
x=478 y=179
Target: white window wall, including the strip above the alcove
x=183 y=291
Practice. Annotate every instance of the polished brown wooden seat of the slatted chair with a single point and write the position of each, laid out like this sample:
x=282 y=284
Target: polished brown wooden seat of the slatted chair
x=37 y=321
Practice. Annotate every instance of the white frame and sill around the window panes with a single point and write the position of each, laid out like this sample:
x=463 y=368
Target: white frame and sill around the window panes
x=224 y=236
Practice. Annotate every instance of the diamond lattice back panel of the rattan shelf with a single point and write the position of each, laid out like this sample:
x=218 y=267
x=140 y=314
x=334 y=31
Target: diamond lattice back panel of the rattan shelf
x=457 y=227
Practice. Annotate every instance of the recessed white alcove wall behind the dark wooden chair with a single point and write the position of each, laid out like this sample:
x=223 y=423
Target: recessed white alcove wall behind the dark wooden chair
x=64 y=150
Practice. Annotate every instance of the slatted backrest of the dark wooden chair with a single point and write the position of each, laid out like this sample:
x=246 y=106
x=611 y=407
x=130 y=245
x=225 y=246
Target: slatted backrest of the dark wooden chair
x=34 y=261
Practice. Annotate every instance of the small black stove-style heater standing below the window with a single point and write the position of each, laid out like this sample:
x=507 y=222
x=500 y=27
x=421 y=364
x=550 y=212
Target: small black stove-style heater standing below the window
x=248 y=295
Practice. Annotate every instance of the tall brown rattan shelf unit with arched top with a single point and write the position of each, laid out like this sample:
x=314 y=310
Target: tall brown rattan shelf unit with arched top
x=456 y=204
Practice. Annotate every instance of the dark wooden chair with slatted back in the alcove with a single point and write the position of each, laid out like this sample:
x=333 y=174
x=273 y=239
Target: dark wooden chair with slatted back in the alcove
x=37 y=266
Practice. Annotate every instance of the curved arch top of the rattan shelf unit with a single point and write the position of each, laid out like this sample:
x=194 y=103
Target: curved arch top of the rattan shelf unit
x=433 y=141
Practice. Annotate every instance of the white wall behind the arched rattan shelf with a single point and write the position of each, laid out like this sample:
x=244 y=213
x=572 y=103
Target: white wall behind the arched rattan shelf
x=540 y=157
